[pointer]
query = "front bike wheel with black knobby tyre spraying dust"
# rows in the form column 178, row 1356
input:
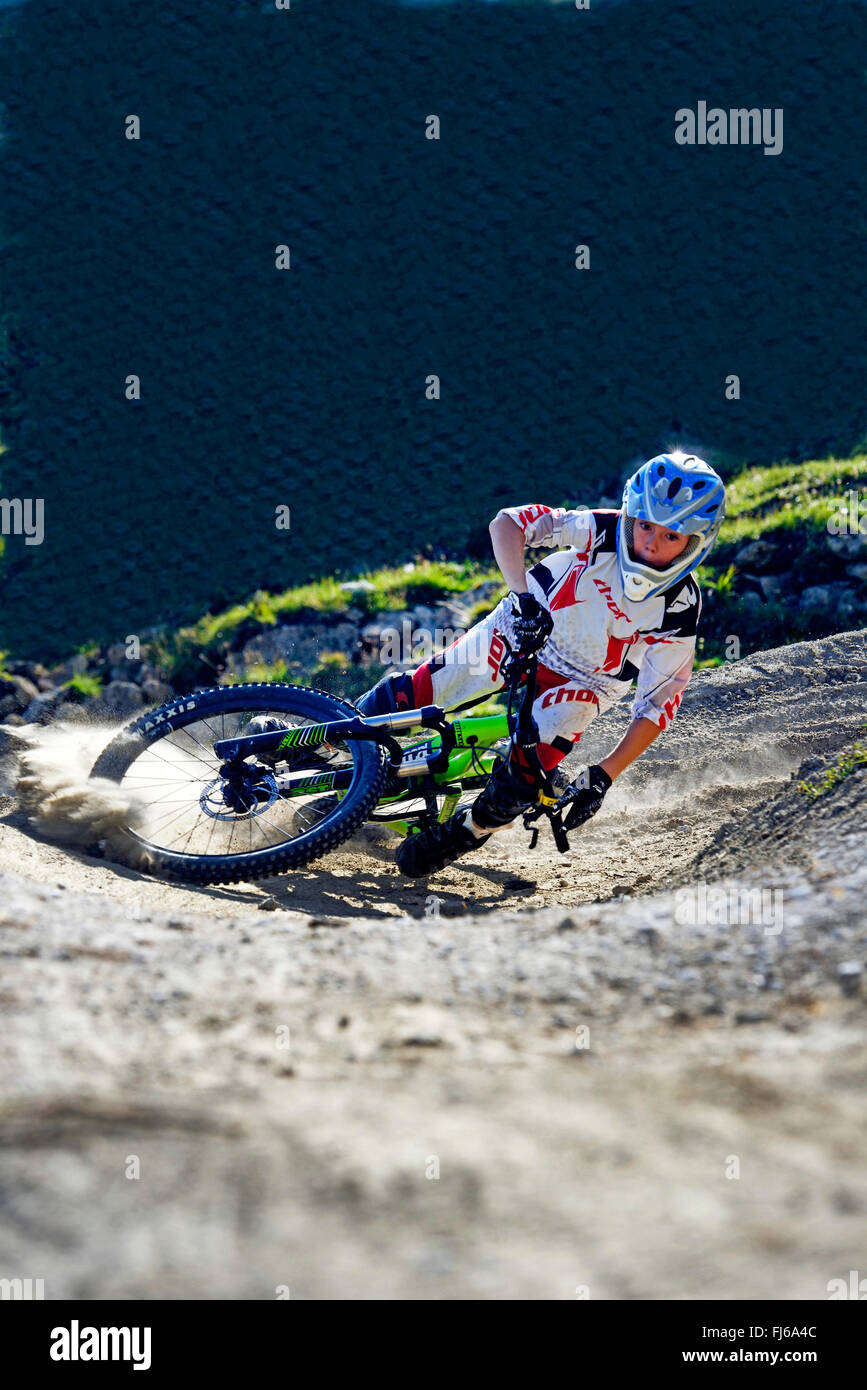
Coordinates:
column 187, row 822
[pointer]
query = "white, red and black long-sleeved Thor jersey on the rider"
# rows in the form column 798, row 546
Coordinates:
column 601, row 637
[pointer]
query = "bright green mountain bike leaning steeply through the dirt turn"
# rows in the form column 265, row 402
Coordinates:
column 244, row 782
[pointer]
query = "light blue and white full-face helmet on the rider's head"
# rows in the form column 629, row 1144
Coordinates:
column 683, row 494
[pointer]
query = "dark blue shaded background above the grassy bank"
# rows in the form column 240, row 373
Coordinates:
column 409, row 258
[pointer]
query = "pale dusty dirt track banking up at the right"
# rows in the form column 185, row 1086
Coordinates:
column 631, row 1072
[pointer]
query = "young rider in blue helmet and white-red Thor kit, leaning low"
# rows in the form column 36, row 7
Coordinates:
column 618, row 605
